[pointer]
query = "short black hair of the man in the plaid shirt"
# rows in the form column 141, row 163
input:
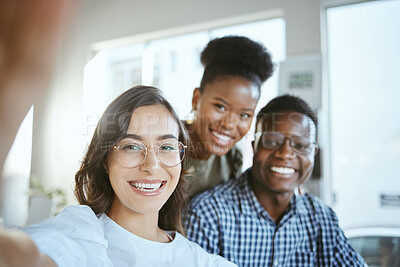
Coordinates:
column 288, row 103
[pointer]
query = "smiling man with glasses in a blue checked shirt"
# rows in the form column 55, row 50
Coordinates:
column 261, row 219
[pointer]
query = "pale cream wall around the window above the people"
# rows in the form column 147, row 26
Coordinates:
column 58, row 124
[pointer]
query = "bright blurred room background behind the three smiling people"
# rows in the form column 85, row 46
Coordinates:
column 342, row 56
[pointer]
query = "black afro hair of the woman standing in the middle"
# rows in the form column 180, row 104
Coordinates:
column 236, row 56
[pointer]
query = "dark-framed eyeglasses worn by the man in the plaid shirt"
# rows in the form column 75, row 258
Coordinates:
column 275, row 140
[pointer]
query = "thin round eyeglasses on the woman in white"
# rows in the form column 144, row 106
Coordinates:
column 131, row 154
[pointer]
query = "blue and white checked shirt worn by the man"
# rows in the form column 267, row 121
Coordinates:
column 229, row 221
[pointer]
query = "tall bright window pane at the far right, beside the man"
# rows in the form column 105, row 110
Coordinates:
column 364, row 63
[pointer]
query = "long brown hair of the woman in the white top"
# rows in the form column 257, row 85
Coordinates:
column 92, row 184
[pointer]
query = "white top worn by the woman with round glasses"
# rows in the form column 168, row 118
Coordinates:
column 77, row 237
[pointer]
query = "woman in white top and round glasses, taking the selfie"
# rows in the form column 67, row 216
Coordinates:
column 131, row 189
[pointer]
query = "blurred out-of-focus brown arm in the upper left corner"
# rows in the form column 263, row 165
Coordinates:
column 30, row 34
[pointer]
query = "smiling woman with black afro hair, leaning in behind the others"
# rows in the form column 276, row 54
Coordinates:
column 235, row 67
